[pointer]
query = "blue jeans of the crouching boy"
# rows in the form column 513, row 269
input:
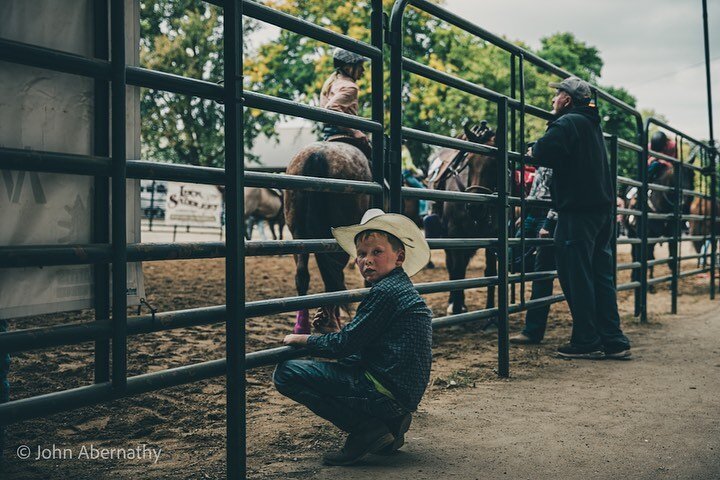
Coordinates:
column 337, row 392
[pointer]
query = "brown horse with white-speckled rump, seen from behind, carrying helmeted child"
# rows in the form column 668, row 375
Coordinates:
column 310, row 215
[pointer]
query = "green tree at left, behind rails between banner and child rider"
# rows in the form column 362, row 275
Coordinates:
column 182, row 37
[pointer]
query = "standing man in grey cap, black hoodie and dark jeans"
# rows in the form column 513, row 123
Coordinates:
column 583, row 193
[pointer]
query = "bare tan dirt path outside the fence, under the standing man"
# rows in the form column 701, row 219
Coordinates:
column 656, row 416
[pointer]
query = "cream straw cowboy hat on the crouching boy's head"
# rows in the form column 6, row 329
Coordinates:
column 417, row 251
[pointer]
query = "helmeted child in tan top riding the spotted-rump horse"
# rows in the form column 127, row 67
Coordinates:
column 340, row 93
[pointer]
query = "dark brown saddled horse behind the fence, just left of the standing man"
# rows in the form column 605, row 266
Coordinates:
column 475, row 173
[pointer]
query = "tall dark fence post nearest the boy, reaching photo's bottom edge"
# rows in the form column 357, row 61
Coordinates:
column 236, row 447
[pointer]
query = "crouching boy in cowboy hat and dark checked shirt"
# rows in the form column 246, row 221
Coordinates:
column 384, row 352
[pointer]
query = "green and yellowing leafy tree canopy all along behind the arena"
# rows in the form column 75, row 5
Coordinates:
column 185, row 37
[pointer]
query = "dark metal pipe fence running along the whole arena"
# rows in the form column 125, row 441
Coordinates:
column 112, row 326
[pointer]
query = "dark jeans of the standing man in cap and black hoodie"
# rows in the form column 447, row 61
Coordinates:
column 585, row 269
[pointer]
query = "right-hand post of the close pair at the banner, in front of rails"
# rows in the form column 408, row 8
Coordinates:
column 119, row 227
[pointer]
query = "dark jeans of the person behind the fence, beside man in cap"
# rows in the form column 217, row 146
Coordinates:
column 536, row 318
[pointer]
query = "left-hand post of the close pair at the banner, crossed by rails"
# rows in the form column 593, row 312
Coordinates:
column 101, row 195
